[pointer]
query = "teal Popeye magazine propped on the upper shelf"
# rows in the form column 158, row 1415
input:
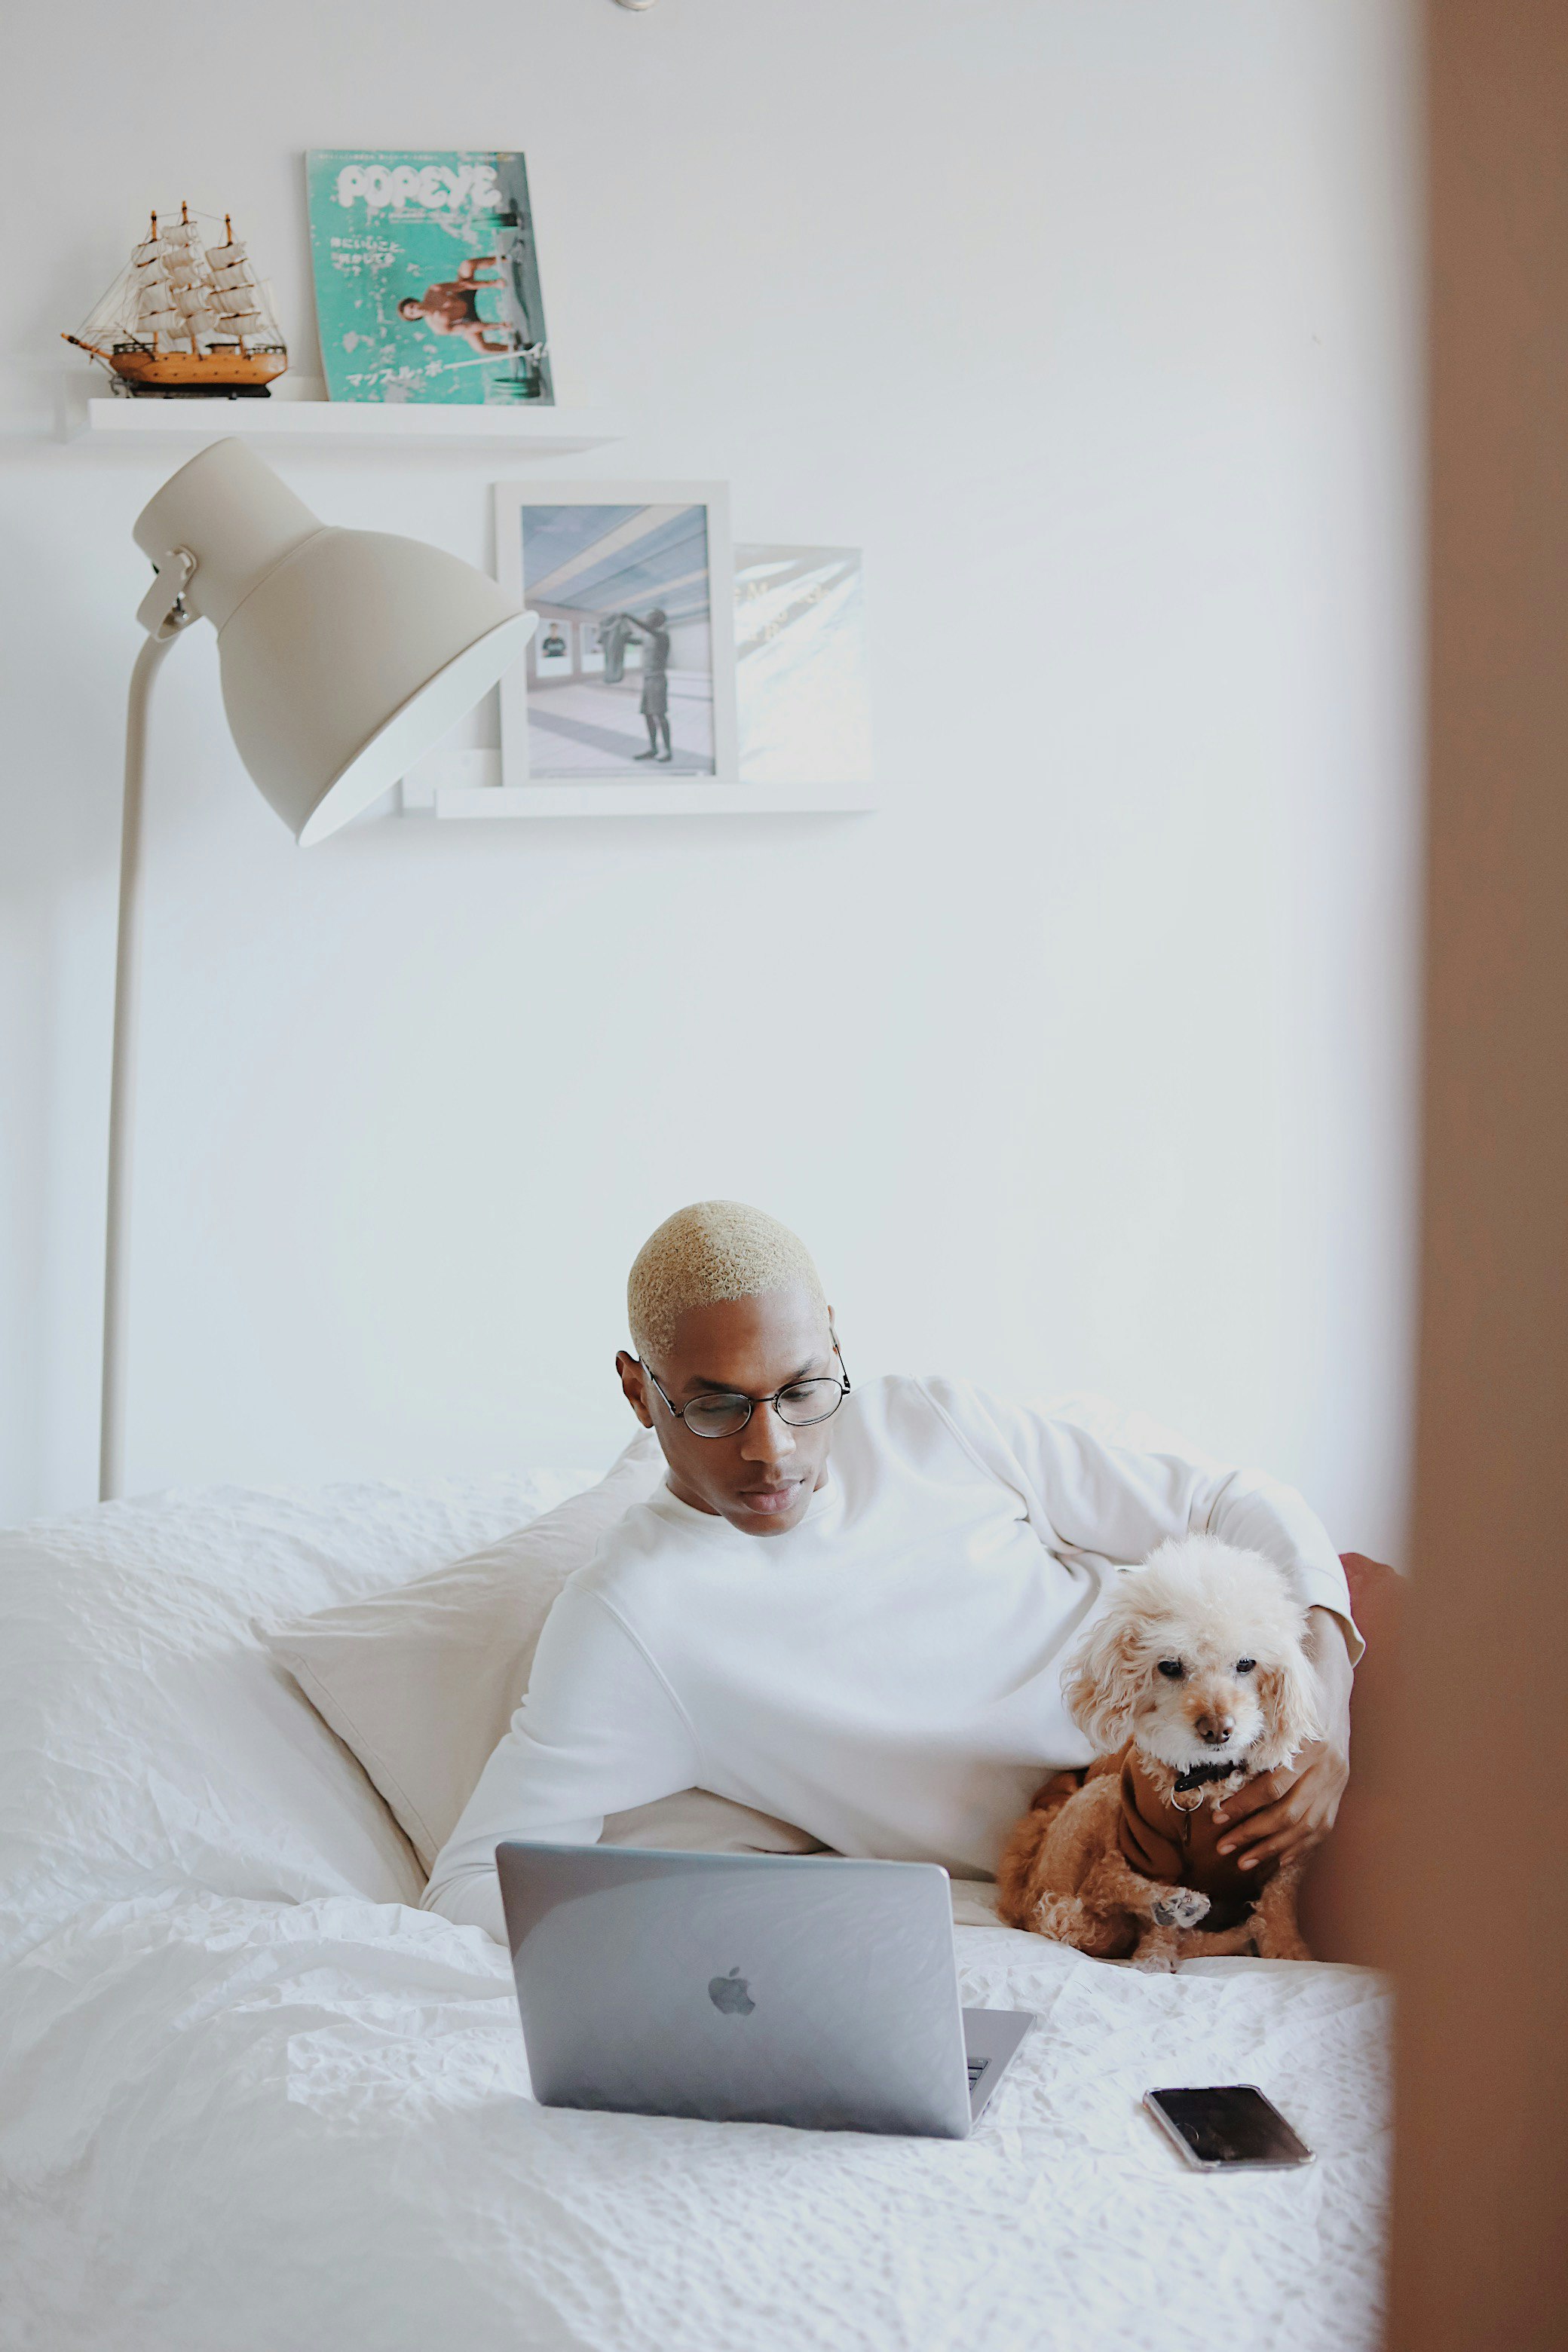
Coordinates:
column 427, row 276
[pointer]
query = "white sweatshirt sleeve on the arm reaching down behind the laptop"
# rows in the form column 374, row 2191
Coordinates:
column 598, row 1732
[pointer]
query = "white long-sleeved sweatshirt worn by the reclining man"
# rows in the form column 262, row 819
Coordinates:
column 887, row 1676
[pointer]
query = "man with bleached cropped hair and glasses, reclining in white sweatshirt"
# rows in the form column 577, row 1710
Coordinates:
column 852, row 1610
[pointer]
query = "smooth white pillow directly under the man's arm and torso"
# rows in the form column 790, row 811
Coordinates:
column 422, row 1683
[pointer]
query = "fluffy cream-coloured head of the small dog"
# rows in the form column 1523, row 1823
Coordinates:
column 1200, row 1662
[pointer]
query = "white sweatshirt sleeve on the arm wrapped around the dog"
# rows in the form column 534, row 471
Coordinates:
column 1115, row 1502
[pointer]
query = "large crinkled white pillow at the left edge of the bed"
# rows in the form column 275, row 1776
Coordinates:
column 147, row 1742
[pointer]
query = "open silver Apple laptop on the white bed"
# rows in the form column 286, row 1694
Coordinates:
column 760, row 1989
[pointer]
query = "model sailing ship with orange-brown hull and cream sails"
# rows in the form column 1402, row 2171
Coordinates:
column 187, row 321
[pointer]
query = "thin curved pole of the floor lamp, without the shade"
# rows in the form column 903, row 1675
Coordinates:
column 123, row 1078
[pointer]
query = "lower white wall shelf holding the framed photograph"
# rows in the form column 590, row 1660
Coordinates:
column 467, row 784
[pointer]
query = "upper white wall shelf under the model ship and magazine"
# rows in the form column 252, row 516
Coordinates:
column 342, row 425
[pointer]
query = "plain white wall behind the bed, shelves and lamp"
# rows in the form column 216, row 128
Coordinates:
column 1087, row 319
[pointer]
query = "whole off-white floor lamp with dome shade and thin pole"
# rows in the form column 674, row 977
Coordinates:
column 344, row 657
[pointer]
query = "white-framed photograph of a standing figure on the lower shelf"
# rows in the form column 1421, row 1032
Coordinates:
column 629, row 679
